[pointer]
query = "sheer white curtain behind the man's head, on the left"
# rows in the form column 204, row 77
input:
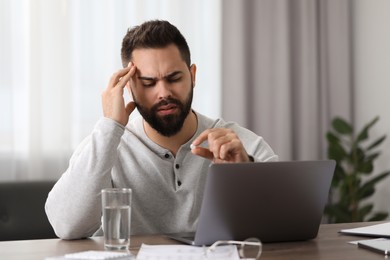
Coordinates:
column 57, row 57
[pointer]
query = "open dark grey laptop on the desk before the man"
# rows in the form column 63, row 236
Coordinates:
column 272, row 201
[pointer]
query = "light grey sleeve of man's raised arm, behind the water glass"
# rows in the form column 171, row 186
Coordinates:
column 73, row 206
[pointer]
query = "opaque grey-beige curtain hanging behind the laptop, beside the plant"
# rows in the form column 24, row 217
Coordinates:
column 287, row 70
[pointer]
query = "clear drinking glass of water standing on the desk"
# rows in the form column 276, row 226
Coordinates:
column 116, row 206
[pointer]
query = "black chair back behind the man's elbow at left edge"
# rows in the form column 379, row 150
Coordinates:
column 22, row 213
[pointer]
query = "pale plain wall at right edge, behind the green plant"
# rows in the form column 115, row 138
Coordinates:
column 372, row 80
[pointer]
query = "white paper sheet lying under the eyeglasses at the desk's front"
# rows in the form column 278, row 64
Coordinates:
column 178, row 252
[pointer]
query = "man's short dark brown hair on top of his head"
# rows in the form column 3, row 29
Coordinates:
column 153, row 34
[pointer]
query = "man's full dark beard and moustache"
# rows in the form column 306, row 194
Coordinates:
column 168, row 125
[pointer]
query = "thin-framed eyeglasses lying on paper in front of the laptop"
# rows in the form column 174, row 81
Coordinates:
column 250, row 248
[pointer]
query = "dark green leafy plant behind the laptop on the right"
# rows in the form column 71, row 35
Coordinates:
column 352, row 182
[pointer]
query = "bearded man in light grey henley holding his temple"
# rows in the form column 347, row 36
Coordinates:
column 163, row 156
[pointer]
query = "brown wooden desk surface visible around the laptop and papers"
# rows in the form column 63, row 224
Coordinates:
column 329, row 244
